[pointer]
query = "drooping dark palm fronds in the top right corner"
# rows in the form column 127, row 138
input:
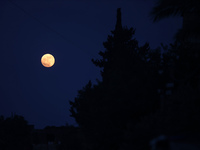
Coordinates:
column 189, row 10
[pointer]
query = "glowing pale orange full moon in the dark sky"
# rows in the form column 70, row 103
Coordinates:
column 47, row 60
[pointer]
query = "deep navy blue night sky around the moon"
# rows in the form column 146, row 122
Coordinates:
column 73, row 31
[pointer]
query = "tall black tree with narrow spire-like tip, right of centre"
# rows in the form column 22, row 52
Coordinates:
column 127, row 92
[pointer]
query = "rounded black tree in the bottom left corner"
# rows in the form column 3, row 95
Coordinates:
column 14, row 133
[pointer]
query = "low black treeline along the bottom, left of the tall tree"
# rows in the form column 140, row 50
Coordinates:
column 17, row 134
